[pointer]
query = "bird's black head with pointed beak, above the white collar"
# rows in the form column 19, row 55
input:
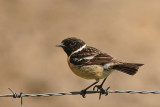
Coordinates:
column 71, row 45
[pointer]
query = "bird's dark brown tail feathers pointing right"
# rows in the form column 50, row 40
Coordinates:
column 129, row 68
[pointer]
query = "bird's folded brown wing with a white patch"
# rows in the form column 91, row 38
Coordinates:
column 90, row 56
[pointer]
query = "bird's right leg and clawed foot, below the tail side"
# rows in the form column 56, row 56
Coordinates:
column 100, row 88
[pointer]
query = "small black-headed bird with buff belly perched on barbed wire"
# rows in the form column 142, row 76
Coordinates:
column 90, row 63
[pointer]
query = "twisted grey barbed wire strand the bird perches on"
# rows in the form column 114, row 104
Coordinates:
column 21, row 94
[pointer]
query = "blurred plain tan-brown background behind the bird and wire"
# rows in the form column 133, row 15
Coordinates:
column 129, row 30
